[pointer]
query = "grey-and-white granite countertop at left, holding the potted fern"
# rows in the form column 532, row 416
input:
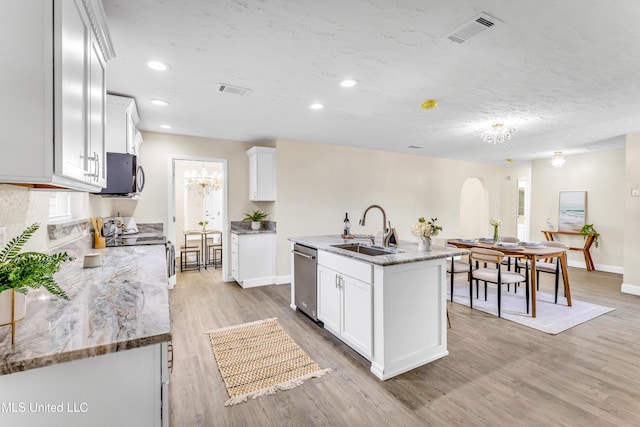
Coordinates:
column 121, row 305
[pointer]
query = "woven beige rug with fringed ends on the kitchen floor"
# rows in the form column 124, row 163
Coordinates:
column 260, row 358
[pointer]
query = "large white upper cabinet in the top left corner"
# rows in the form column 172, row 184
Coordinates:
column 52, row 111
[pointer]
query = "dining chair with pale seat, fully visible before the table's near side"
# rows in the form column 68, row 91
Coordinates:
column 492, row 275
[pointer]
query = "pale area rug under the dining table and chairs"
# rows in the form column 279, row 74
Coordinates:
column 550, row 318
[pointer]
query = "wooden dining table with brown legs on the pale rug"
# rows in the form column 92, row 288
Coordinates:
column 532, row 254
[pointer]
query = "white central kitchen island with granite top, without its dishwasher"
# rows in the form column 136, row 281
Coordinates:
column 390, row 308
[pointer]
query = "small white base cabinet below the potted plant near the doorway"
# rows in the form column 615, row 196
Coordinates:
column 253, row 258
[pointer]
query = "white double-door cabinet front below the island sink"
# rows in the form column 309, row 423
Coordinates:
column 345, row 302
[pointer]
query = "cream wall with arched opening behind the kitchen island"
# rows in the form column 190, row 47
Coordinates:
column 318, row 183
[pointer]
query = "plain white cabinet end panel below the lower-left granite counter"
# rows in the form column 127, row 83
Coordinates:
column 125, row 388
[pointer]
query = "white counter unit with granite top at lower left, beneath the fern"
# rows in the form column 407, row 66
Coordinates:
column 99, row 358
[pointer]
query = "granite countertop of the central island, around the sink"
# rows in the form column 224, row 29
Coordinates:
column 405, row 252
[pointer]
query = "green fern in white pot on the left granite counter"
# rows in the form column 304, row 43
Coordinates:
column 20, row 272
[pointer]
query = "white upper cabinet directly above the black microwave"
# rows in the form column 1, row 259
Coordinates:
column 122, row 125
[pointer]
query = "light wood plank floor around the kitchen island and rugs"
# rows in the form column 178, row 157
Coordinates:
column 498, row 373
